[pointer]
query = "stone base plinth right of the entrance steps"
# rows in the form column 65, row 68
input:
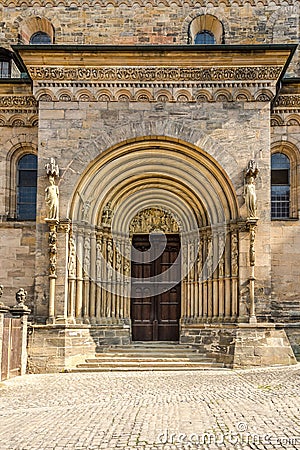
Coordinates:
column 241, row 345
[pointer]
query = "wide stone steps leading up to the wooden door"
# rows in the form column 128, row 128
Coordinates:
column 142, row 356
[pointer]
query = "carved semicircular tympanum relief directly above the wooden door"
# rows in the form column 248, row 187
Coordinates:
column 154, row 219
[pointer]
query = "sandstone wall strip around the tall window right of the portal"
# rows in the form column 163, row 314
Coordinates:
column 285, row 237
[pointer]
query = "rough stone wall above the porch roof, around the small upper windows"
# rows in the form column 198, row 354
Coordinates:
column 144, row 23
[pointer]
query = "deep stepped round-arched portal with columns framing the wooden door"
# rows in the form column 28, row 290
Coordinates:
column 153, row 185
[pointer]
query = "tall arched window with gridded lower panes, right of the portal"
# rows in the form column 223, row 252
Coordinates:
column 280, row 186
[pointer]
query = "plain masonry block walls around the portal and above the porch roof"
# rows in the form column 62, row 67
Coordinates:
column 230, row 132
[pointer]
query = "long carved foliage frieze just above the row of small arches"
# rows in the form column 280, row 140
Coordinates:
column 154, row 74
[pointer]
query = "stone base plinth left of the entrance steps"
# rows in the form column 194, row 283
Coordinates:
column 54, row 348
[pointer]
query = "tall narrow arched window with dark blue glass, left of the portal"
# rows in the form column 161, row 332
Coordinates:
column 26, row 187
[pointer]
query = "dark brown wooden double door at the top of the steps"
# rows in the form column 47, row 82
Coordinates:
column 156, row 287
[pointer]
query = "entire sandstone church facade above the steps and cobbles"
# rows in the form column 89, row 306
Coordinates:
column 149, row 176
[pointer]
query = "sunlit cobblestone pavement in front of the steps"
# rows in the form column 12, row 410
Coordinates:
column 213, row 409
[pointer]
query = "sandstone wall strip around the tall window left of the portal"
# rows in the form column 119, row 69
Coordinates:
column 17, row 239
